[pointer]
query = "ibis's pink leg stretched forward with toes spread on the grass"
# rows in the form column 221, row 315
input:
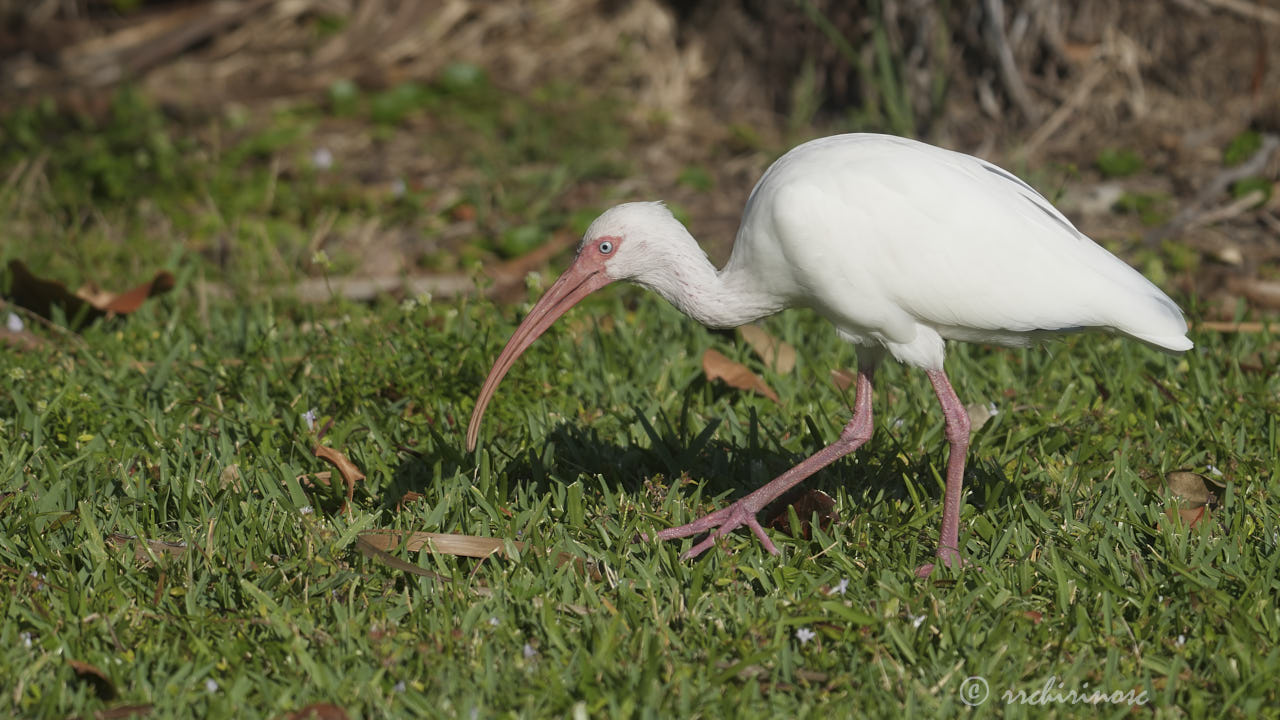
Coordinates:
column 743, row 513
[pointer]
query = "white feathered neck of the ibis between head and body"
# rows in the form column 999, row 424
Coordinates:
column 717, row 299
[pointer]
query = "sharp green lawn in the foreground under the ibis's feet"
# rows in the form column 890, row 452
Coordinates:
column 598, row 435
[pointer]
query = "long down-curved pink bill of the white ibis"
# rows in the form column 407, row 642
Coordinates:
column 579, row 281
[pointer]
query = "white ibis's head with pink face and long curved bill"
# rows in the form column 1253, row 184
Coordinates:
column 628, row 243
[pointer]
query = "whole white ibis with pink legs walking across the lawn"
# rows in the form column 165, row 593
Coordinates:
column 902, row 245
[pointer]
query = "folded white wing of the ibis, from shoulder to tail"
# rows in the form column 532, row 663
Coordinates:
column 897, row 231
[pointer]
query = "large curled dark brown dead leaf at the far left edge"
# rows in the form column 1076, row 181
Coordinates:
column 42, row 295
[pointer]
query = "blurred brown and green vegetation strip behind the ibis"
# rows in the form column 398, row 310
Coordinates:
column 405, row 145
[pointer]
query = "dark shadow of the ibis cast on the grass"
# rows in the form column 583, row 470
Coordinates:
column 673, row 452
